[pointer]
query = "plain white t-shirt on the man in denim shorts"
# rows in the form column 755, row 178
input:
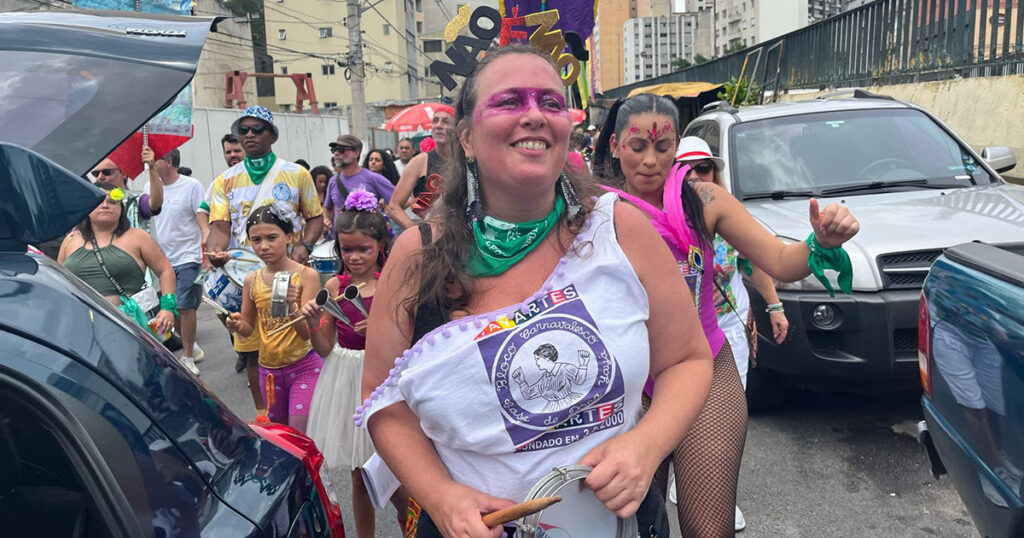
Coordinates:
column 177, row 229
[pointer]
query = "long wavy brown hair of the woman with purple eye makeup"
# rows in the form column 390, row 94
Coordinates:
column 443, row 278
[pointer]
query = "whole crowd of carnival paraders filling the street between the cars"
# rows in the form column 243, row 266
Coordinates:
column 508, row 226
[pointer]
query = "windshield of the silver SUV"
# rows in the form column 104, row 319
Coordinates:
column 847, row 149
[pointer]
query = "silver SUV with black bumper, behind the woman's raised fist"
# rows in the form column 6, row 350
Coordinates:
column 916, row 188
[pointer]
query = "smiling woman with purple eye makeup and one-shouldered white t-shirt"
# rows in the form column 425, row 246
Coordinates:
column 518, row 285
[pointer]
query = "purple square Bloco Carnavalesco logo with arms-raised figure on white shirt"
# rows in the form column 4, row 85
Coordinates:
column 556, row 381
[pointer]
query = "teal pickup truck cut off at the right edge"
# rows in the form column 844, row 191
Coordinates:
column 971, row 351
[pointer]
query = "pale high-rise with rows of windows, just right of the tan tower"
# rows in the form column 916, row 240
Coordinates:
column 652, row 45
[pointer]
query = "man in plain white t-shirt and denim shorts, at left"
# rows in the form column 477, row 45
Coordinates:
column 179, row 234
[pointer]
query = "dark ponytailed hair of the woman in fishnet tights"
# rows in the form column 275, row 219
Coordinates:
column 609, row 171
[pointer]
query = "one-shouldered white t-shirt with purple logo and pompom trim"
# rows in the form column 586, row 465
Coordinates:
column 509, row 395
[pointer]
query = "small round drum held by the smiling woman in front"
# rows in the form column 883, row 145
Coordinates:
column 580, row 515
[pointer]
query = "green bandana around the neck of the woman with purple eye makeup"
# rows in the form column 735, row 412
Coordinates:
column 501, row 245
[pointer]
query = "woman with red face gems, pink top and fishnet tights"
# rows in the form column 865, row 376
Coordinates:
column 638, row 156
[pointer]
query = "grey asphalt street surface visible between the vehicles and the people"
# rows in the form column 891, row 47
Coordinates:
column 824, row 466
